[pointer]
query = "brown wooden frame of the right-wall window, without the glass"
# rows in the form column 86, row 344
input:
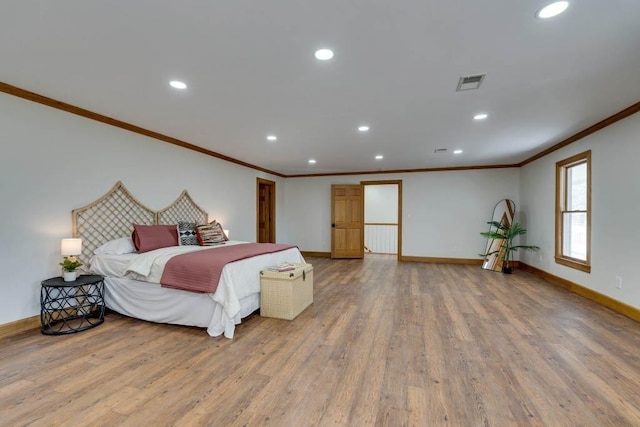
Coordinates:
column 562, row 168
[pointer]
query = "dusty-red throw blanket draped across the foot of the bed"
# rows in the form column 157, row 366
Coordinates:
column 200, row 271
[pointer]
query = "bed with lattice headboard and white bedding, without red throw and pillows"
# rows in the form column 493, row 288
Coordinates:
column 105, row 226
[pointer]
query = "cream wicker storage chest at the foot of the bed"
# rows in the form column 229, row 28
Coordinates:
column 286, row 294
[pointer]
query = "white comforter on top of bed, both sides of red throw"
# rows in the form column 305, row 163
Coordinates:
column 238, row 280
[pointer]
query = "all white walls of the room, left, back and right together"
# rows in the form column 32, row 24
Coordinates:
column 52, row 162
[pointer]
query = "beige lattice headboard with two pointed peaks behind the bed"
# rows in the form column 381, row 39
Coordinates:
column 112, row 216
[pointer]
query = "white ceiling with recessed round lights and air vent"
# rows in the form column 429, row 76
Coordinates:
column 250, row 71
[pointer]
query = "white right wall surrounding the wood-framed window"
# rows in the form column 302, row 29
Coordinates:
column 615, row 198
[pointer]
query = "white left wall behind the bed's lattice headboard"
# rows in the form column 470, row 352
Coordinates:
column 52, row 162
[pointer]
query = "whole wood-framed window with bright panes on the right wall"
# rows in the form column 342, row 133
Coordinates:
column 573, row 212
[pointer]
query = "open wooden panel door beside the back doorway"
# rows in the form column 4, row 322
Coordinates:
column 347, row 221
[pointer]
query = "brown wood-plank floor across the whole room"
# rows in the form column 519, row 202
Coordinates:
column 384, row 343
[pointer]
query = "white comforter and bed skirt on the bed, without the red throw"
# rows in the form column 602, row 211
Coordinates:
column 239, row 282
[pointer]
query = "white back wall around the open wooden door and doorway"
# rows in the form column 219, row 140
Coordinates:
column 443, row 212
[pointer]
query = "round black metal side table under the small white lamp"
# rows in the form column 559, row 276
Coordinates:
column 68, row 307
